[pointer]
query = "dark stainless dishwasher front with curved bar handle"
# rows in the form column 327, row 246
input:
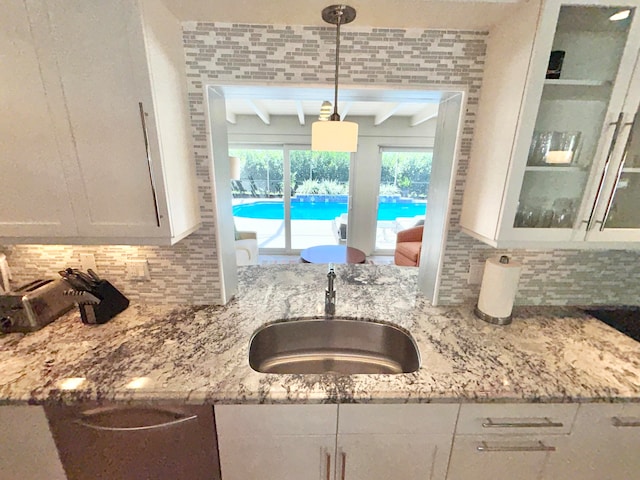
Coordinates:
column 135, row 442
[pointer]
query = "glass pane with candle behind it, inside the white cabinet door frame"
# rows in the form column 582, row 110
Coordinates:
column 583, row 65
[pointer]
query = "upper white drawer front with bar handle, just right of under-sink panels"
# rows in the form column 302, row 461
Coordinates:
column 516, row 418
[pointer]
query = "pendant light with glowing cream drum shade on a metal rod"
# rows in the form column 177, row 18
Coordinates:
column 335, row 135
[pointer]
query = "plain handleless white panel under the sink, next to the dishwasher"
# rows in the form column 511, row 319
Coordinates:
column 256, row 420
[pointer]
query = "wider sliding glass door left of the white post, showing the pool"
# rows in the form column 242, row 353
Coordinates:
column 292, row 197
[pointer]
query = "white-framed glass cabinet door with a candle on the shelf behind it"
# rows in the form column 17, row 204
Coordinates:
column 587, row 70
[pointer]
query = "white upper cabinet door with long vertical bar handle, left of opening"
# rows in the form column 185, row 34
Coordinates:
column 100, row 51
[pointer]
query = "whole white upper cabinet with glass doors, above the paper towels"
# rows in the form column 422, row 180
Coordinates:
column 574, row 170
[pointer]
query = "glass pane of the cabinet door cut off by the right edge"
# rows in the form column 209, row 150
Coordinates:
column 623, row 209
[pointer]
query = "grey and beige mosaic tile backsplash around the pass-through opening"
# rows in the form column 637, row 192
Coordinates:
column 223, row 53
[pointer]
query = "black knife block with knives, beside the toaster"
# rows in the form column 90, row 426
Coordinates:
column 97, row 299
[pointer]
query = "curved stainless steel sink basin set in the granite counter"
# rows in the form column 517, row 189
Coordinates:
column 336, row 345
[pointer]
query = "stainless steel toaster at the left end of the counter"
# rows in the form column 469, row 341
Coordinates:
column 34, row 305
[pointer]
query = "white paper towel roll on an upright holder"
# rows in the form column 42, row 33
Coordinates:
column 498, row 288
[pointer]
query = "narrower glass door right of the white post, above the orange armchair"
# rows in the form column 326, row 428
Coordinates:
column 402, row 196
